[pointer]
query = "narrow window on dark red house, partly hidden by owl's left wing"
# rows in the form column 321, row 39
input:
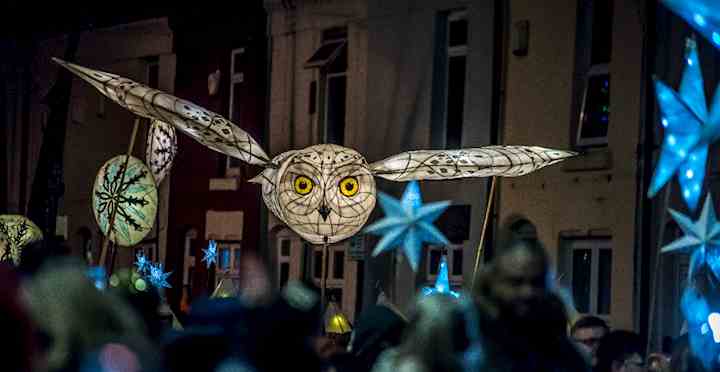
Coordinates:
column 234, row 166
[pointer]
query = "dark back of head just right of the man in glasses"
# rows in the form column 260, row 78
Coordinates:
column 620, row 351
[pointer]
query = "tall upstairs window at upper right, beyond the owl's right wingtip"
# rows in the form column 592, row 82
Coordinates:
column 591, row 101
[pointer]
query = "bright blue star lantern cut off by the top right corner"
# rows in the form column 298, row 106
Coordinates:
column 702, row 15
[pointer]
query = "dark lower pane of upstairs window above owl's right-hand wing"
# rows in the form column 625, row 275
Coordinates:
column 455, row 102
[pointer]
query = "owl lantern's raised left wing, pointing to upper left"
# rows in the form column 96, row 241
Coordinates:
column 206, row 127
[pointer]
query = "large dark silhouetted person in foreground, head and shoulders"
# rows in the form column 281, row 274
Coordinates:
column 523, row 325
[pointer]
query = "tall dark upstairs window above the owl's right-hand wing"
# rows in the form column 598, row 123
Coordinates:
column 450, row 79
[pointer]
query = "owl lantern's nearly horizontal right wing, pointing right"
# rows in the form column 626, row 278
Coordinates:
column 488, row 161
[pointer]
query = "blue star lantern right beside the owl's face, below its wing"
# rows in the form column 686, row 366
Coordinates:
column 408, row 223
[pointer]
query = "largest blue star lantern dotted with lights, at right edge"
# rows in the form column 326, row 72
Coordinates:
column 689, row 131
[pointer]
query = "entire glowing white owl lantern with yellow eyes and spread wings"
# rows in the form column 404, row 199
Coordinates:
column 325, row 193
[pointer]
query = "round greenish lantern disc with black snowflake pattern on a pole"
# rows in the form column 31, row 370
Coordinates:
column 132, row 195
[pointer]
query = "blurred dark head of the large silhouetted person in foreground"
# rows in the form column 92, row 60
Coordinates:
column 517, row 276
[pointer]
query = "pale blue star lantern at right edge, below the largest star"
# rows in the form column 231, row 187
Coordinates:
column 702, row 239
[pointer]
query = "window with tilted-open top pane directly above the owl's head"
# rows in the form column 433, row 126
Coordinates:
column 331, row 59
